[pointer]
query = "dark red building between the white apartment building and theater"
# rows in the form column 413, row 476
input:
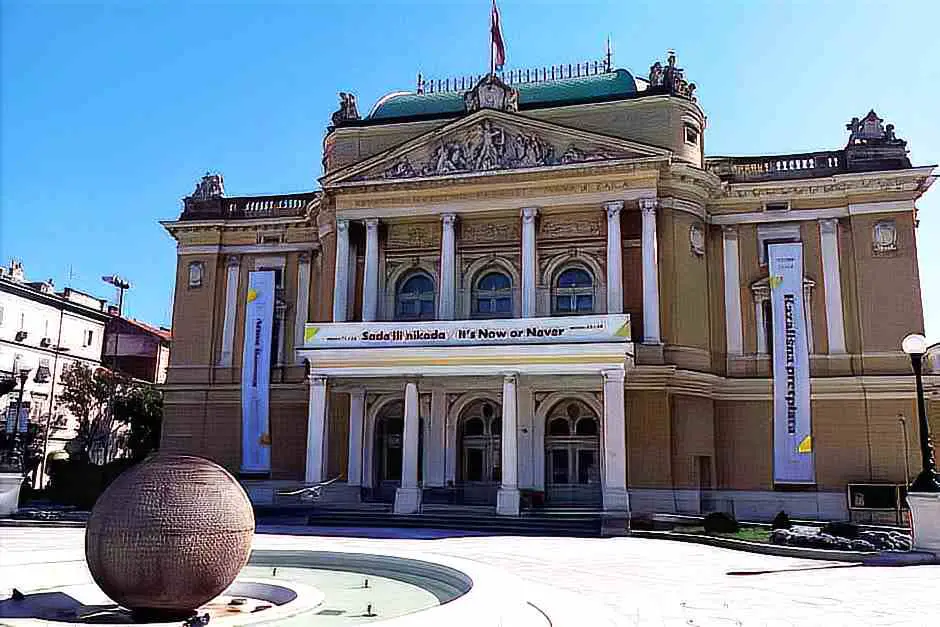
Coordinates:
column 142, row 351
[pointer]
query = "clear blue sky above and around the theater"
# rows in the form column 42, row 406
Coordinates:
column 110, row 111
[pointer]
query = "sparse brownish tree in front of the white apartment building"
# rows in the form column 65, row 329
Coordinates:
column 88, row 394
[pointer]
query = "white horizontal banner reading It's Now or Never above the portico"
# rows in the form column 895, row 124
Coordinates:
column 561, row 330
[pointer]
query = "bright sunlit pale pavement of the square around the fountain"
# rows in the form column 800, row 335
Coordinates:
column 645, row 582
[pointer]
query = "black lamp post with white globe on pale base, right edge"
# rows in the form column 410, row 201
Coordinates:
column 924, row 492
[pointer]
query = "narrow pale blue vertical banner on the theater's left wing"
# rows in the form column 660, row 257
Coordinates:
column 256, row 373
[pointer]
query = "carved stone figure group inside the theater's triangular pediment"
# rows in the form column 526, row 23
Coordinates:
column 489, row 146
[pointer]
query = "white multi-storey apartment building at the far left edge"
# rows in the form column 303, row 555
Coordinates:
column 45, row 331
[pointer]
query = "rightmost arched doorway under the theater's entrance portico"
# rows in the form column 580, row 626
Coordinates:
column 572, row 455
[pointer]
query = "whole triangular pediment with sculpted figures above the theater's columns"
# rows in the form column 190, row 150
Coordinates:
column 491, row 141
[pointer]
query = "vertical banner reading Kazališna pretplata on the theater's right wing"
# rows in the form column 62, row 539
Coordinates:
column 793, row 442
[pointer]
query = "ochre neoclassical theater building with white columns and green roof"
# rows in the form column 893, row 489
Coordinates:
column 536, row 289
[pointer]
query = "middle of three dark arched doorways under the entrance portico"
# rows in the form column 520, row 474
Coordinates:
column 479, row 443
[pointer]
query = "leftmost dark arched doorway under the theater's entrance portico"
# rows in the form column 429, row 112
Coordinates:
column 387, row 450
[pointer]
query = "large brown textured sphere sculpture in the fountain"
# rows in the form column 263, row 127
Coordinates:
column 168, row 535
